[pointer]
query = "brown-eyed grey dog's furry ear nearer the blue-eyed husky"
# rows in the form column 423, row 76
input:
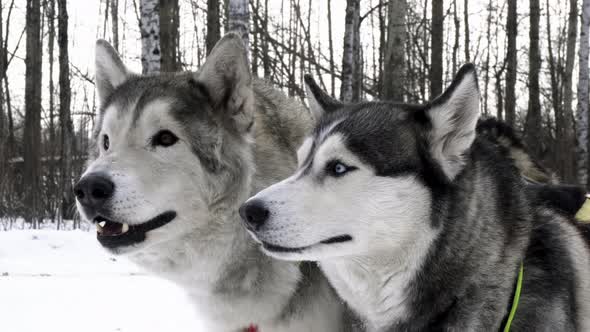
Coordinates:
column 226, row 76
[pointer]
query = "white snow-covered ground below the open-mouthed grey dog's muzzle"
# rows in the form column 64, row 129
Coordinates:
column 63, row 281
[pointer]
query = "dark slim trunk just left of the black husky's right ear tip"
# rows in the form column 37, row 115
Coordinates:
column 436, row 59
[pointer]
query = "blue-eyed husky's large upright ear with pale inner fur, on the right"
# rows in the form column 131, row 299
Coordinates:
column 453, row 116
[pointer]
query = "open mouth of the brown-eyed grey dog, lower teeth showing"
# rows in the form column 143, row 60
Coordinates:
column 112, row 234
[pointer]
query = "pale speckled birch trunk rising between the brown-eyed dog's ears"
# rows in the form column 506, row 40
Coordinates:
column 150, row 36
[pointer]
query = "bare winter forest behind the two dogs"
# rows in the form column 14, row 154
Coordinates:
column 532, row 59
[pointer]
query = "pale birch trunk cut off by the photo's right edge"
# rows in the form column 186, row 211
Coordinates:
column 582, row 114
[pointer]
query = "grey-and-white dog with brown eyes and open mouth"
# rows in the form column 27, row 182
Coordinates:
column 174, row 157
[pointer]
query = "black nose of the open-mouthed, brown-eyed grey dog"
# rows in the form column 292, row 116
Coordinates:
column 93, row 190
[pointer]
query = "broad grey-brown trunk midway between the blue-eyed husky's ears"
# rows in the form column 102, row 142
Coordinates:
column 393, row 86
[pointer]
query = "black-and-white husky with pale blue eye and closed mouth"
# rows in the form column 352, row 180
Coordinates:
column 421, row 225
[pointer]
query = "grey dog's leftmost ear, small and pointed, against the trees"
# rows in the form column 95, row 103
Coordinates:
column 110, row 70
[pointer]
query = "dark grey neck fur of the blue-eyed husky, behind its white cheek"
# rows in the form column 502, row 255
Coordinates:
column 460, row 271
